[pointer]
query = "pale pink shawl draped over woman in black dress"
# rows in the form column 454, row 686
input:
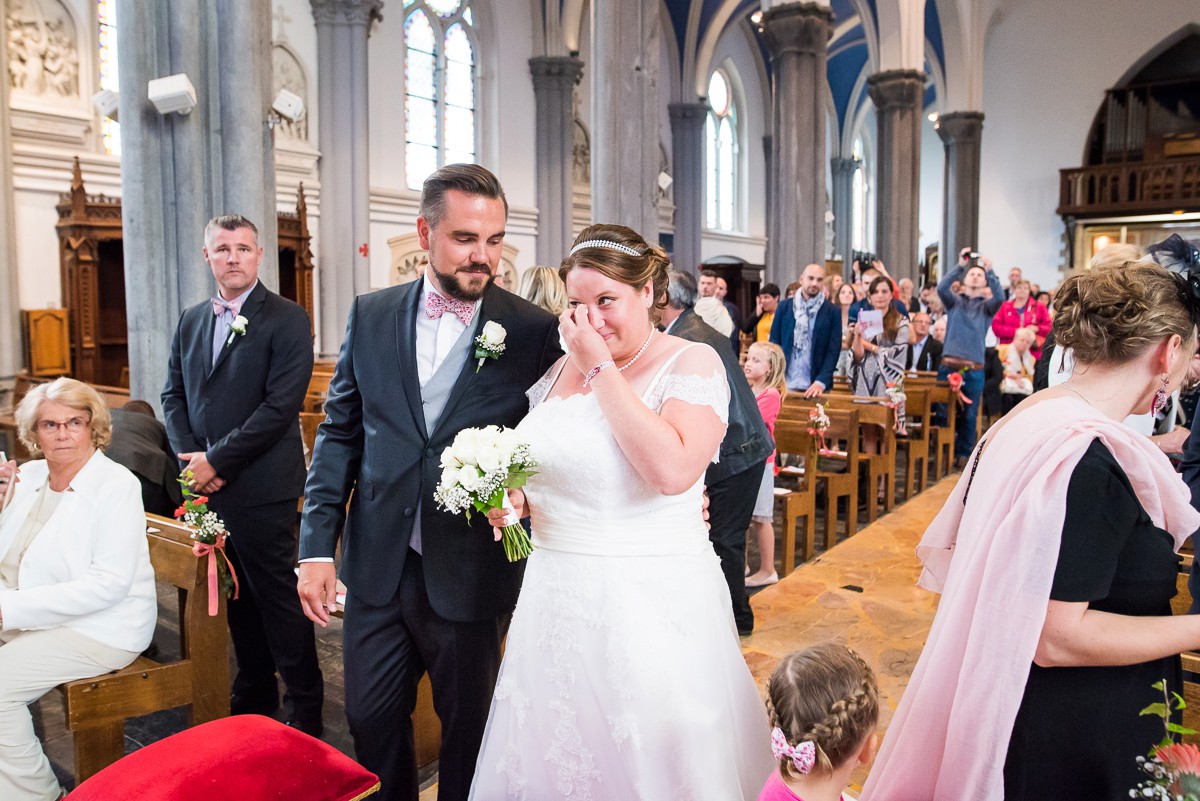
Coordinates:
column 994, row 563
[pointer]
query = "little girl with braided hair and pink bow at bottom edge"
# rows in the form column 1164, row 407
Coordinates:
column 825, row 708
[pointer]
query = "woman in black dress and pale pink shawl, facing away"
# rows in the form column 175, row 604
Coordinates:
column 1055, row 558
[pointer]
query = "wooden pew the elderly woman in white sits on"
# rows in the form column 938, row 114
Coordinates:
column 97, row 708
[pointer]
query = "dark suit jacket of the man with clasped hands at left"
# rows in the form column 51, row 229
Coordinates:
column 243, row 409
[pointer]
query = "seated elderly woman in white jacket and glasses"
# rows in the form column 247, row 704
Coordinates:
column 77, row 594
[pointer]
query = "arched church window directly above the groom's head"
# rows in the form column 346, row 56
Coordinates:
column 440, row 87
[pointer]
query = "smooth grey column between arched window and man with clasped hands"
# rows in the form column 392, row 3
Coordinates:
column 344, row 260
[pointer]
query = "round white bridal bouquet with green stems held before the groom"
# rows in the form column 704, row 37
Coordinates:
column 477, row 469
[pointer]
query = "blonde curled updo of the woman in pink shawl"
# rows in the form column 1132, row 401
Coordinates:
column 1112, row 315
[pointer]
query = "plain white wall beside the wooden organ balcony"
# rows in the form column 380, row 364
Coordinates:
column 1046, row 69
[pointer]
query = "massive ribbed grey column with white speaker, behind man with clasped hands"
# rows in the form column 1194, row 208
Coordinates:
column 181, row 171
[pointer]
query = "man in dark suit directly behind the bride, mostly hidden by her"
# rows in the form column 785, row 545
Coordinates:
column 733, row 483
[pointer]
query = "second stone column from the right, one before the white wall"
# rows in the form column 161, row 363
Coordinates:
column 897, row 95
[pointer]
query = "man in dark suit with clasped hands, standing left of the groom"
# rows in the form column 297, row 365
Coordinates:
column 239, row 370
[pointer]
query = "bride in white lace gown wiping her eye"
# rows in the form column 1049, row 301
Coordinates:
column 622, row 676
